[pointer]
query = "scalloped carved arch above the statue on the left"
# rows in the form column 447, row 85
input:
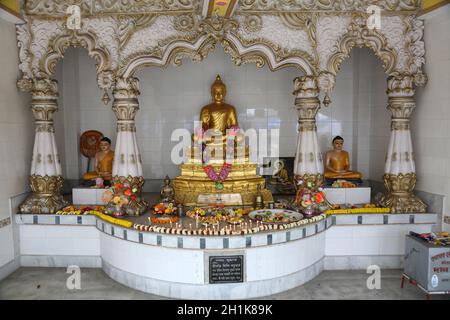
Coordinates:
column 87, row 40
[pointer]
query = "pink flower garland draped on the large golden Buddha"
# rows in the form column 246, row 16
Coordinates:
column 220, row 177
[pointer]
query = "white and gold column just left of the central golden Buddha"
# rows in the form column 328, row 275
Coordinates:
column 127, row 166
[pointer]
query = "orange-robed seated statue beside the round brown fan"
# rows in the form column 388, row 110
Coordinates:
column 103, row 162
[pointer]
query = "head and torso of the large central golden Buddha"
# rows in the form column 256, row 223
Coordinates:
column 218, row 115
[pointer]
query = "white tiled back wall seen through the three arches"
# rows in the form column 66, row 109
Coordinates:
column 171, row 98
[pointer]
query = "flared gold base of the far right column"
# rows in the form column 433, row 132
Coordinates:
column 399, row 196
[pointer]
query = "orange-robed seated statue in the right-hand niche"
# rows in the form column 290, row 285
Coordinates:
column 337, row 162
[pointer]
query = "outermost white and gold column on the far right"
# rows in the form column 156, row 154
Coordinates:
column 400, row 173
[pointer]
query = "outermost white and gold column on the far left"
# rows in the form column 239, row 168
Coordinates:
column 46, row 180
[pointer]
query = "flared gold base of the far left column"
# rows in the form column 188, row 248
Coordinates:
column 46, row 195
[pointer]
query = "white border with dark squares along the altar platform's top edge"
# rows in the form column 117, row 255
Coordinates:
column 268, row 238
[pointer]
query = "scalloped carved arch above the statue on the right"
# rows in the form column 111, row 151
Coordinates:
column 359, row 35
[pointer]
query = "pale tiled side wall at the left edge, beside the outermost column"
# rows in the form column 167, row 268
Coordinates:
column 16, row 137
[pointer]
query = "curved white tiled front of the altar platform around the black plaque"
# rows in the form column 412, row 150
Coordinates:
column 176, row 266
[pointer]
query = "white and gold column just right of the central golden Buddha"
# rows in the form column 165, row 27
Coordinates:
column 308, row 164
